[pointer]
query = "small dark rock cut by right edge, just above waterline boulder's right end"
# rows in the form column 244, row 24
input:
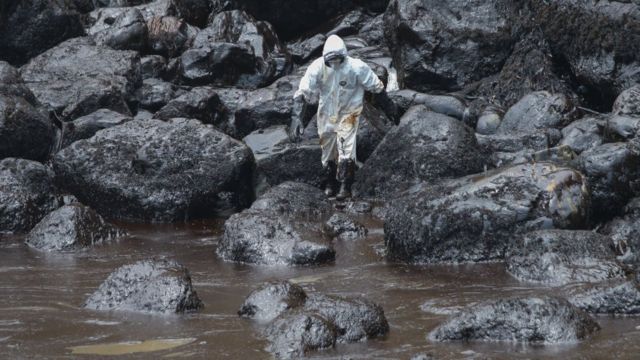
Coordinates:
column 624, row 232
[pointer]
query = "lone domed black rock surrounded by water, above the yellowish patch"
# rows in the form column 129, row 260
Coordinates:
column 149, row 286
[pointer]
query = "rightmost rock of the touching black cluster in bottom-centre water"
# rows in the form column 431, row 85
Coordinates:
column 355, row 319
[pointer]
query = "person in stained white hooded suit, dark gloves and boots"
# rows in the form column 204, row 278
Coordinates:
column 340, row 82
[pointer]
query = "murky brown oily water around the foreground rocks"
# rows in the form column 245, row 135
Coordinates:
column 42, row 295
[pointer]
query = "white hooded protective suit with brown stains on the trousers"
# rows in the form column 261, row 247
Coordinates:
column 341, row 95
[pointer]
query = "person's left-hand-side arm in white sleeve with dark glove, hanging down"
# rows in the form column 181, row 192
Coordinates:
column 307, row 90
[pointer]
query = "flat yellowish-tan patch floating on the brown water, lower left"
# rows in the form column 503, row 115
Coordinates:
column 130, row 347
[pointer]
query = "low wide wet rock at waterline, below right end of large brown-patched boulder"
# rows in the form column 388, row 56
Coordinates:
column 559, row 257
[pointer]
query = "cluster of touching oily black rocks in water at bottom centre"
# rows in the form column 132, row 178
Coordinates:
column 306, row 322
